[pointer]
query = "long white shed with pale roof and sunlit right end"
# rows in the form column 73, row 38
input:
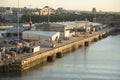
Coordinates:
column 40, row 35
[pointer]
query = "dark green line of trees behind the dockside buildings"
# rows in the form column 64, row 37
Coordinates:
column 65, row 17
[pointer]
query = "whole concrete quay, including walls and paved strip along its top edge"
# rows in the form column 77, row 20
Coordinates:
column 50, row 54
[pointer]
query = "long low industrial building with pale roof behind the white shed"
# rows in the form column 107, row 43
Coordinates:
column 65, row 28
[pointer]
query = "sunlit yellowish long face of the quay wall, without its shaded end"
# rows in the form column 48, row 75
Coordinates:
column 52, row 54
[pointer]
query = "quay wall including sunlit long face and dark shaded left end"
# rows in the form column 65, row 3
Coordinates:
column 51, row 55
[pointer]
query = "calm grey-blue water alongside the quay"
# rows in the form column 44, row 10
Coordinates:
column 100, row 61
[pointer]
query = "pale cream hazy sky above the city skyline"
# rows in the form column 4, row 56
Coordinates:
column 87, row 5
